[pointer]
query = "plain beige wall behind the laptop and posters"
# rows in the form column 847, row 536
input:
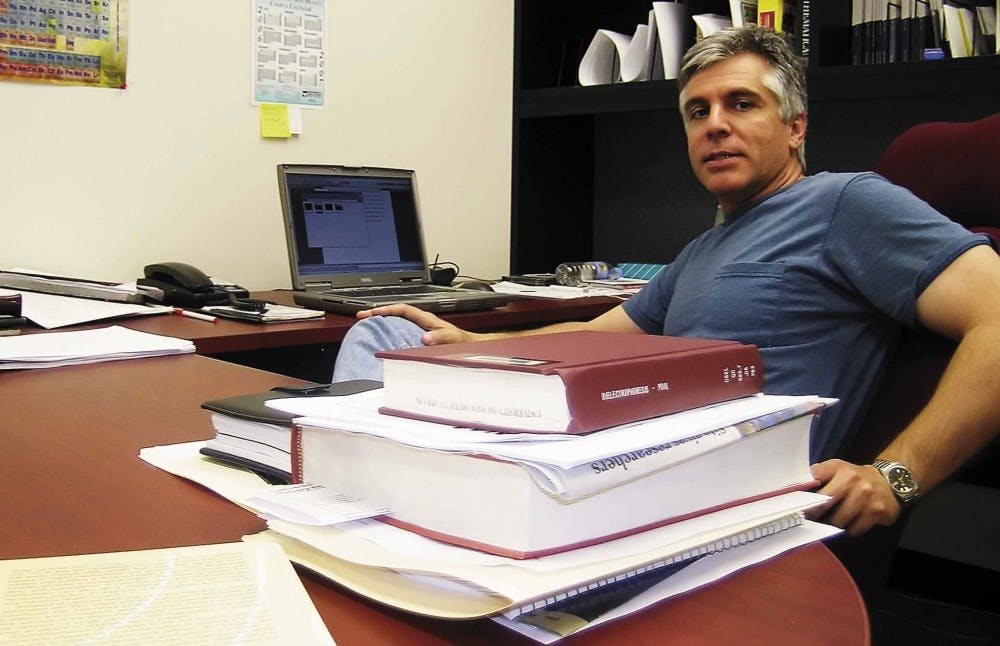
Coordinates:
column 98, row 183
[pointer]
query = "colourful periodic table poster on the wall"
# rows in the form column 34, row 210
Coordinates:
column 64, row 42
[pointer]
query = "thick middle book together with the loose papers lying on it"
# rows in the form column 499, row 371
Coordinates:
column 525, row 496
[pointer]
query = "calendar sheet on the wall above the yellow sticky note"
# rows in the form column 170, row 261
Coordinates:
column 288, row 52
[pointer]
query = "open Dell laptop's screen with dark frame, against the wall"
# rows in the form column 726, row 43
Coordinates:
column 348, row 227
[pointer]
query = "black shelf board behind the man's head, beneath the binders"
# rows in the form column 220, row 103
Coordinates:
column 892, row 80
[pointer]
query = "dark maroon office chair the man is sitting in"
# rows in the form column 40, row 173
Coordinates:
column 918, row 576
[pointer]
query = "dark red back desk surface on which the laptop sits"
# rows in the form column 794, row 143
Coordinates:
column 235, row 336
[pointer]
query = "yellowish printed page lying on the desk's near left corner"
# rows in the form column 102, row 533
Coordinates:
column 234, row 593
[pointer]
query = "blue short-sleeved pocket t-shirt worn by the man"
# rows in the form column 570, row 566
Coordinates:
column 819, row 275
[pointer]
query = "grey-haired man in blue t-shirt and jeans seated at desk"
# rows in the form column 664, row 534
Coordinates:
column 819, row 272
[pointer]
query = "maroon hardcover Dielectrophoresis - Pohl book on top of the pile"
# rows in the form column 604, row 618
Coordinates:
column 566, row 382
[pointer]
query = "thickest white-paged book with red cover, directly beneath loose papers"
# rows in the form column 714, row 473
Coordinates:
column 516, row 508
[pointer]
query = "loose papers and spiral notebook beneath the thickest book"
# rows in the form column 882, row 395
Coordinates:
column 424, row 576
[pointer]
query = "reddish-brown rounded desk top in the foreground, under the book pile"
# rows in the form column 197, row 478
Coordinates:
column 74, row 484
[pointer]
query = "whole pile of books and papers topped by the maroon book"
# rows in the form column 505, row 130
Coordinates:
column 594, row 506
